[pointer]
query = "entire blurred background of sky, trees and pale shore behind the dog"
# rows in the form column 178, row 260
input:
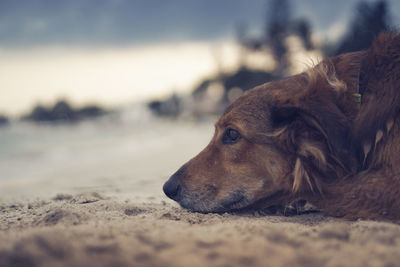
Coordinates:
column 114, row 95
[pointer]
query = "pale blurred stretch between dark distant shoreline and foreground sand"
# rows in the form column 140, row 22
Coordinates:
column 129, row 153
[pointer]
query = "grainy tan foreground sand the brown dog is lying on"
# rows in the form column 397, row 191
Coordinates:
column 91, row 229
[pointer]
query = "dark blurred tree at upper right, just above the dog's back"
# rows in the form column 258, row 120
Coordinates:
column 370, row 19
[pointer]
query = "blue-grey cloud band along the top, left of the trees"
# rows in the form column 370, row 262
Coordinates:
column 104, row 22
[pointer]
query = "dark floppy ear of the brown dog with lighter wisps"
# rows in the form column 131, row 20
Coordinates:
column 306, row 137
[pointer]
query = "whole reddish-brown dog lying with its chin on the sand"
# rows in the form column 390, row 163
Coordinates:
column 307, row 137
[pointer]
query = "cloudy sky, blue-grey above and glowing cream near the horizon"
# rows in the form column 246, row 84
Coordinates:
column 119, row 51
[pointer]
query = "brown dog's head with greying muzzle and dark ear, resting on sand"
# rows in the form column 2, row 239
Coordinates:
column 273, row 143
